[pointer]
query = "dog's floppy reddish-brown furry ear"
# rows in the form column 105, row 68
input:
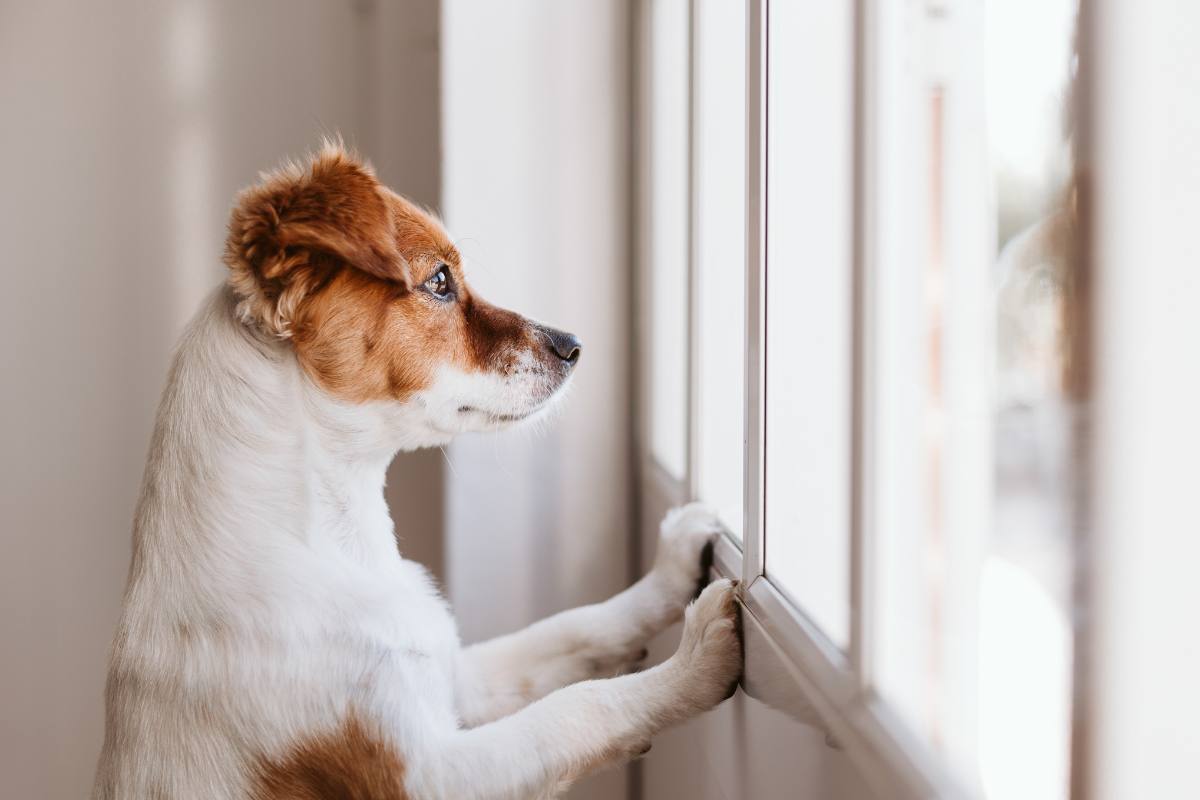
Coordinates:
column 298, row 225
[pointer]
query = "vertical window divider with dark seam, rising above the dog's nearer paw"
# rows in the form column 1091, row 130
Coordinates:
column 755, row 486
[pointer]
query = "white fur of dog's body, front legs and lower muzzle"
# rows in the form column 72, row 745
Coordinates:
column 267, row 600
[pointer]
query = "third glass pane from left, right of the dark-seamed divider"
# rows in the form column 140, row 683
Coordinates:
column 809, row 308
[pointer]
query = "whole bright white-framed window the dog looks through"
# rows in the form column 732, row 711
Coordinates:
column 869, row 251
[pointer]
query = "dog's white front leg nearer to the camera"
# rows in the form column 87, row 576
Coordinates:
column 542, row 749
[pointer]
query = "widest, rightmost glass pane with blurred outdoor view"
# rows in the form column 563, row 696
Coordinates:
column 975, row 404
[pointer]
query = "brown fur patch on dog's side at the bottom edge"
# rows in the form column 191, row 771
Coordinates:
column 345, row 765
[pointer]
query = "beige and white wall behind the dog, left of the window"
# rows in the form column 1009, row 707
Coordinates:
column 129, row 128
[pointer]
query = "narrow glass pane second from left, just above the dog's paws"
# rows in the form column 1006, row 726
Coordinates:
column 721, row 254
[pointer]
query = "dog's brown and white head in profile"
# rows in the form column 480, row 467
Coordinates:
column 371, row 293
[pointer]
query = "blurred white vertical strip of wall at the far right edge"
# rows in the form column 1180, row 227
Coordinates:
column 1144, row 649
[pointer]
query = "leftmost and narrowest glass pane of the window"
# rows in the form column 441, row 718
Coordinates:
column 669, row 227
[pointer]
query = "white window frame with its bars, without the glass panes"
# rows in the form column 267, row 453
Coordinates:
column 835, row 683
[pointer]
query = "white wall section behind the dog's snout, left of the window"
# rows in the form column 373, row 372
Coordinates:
column 537, row 166
